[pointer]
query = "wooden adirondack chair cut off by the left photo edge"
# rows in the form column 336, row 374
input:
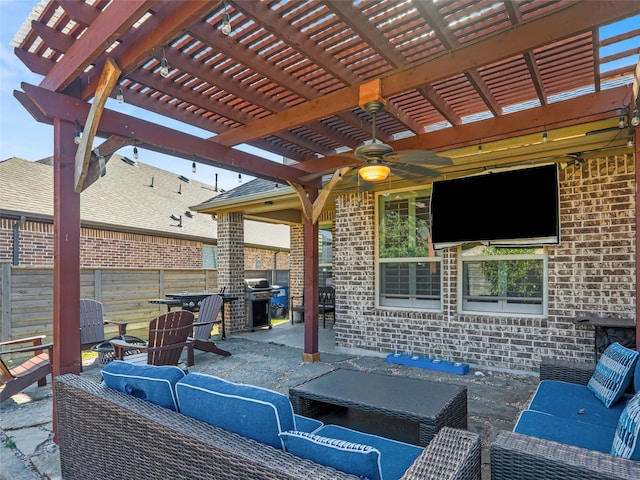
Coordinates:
column 34, row 369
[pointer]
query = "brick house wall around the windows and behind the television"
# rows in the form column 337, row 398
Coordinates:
column 592, row 272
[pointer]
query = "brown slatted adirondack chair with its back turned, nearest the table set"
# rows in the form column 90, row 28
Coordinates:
column 168, row 336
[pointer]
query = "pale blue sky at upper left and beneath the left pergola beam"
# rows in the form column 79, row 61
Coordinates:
column 22, row 136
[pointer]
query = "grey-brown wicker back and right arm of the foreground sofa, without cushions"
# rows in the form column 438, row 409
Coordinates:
column 104, row 433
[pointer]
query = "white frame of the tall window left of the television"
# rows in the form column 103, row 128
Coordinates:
column 403, row 301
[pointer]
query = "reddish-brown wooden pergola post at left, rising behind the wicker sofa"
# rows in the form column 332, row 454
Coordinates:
column 66, row 263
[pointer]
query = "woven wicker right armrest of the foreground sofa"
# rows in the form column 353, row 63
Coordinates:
column 454, row 451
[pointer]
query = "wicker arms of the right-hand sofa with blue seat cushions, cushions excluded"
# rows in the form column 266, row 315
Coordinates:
column 520, row 456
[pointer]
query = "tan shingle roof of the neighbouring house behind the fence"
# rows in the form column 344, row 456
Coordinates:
column 139, row 198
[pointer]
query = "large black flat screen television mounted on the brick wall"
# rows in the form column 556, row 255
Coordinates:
column 511, row 208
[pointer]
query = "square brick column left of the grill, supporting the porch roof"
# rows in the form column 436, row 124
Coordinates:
column 231, row 267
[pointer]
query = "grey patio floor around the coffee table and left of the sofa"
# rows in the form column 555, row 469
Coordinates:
column 271, row 359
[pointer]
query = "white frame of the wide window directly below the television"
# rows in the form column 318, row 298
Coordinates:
column 502, row 305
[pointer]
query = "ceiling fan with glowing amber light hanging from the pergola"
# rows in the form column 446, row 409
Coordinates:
column 377, row 159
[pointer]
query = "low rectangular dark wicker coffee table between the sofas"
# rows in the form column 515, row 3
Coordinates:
column 432, row 405
